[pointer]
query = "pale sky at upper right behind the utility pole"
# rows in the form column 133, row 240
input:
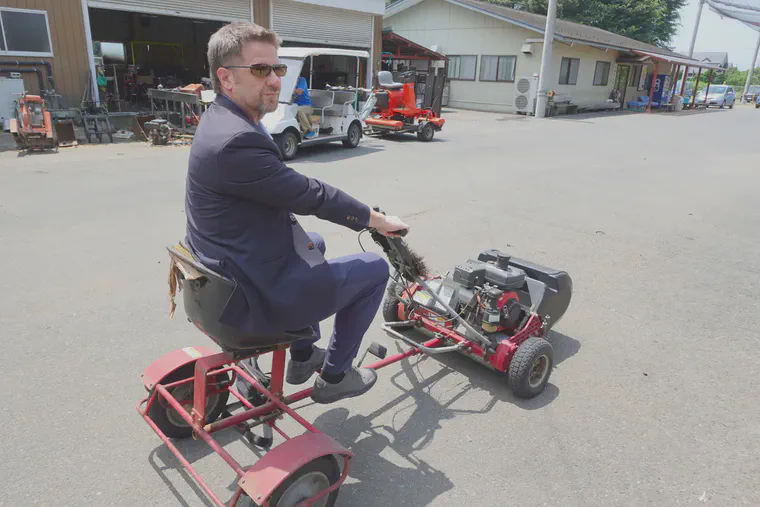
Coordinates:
column 716, row 34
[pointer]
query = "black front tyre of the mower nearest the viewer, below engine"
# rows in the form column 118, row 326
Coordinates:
column 531, row 367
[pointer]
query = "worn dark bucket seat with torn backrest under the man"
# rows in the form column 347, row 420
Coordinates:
column 206, row 295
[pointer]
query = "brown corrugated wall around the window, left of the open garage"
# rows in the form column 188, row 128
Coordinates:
column 70, row 66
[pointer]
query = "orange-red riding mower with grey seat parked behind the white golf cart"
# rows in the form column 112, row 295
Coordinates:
column 394, row 108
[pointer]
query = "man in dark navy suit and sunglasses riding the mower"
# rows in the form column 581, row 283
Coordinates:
column 241, row 202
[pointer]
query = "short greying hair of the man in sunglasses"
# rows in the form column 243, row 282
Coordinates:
column 227, row 43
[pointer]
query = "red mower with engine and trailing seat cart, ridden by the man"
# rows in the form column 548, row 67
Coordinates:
column 495, row 309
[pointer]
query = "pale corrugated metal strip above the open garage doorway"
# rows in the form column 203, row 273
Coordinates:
column 221, row 10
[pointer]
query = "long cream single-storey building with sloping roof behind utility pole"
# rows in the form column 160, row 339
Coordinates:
column 490, row 47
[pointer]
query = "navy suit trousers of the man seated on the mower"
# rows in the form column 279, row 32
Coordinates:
column 362, row 279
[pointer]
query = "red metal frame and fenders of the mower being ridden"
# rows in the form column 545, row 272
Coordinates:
column 261, row 480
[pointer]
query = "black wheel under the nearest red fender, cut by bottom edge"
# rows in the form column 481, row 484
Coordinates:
column 308, row 481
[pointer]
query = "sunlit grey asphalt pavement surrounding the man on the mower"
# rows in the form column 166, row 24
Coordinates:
column 654, row 398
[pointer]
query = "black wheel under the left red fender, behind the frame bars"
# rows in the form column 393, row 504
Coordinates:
column 168, row 420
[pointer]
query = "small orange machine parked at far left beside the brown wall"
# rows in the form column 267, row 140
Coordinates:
column 33, row 128
